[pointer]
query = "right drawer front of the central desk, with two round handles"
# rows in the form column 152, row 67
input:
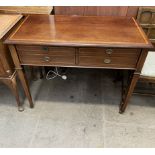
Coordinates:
column 104, row 57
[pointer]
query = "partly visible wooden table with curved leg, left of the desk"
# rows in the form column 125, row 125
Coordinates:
column 7, row 71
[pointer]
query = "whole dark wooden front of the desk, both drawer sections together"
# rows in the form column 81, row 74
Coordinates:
column 63, row 56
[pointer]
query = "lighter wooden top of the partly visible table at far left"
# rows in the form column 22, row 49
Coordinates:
column 7, row 22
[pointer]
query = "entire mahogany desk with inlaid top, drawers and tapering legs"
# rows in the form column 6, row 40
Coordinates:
column 80, row 42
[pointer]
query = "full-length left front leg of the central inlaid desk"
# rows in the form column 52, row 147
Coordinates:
column 21, row 74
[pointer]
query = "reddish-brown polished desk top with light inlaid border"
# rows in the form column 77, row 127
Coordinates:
column 98, row 31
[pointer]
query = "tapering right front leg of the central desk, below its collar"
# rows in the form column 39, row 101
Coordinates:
column 127, row 94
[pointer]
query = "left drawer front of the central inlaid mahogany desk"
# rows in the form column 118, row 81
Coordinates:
column 43, row 55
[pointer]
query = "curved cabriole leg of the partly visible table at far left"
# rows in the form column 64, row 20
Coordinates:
column 12, row 84
